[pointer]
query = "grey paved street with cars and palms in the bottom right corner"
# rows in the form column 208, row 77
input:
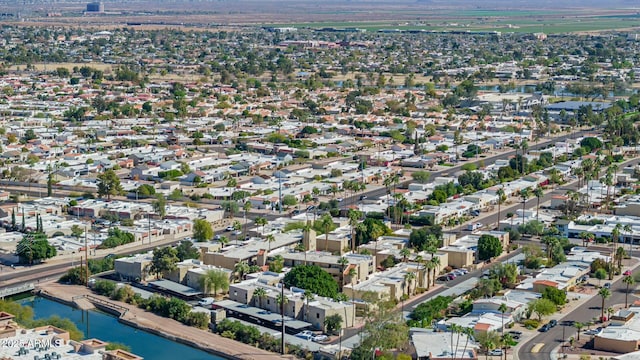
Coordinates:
column 584, row 313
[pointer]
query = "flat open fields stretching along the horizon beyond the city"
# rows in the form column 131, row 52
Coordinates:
column 372, row 16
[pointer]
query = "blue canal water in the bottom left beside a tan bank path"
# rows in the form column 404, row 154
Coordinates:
column 95, row 324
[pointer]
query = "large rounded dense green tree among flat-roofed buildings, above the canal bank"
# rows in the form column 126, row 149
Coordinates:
column 312, row 278
